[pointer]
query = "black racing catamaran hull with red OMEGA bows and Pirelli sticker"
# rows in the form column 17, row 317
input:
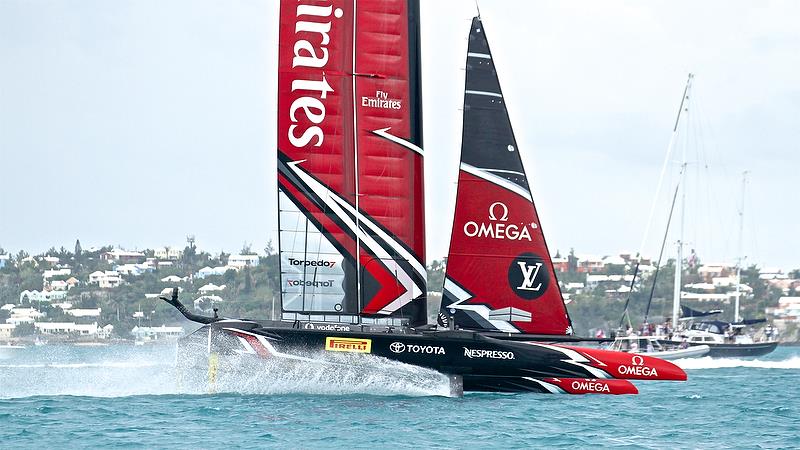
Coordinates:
column 473, row 361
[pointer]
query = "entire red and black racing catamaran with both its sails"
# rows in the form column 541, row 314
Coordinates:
column 352, row 246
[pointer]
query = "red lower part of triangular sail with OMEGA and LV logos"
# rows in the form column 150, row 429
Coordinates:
column 499, row 271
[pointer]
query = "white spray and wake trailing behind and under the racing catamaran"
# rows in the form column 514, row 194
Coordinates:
column 127, row 371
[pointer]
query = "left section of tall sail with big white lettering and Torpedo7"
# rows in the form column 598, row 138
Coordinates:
column 316, row 150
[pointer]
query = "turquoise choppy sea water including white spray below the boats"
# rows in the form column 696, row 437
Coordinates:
column 147, row 397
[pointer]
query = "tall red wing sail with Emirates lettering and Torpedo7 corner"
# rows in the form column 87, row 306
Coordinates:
column 351, row 212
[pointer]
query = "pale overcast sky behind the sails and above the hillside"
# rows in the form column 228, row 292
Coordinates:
column 138, row 122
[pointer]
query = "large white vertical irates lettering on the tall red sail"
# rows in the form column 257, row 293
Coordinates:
column 312, row 36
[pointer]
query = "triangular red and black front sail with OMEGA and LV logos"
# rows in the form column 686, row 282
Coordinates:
column 499, row 273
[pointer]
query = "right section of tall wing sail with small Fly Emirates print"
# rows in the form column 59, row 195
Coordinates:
column 388, row 157
